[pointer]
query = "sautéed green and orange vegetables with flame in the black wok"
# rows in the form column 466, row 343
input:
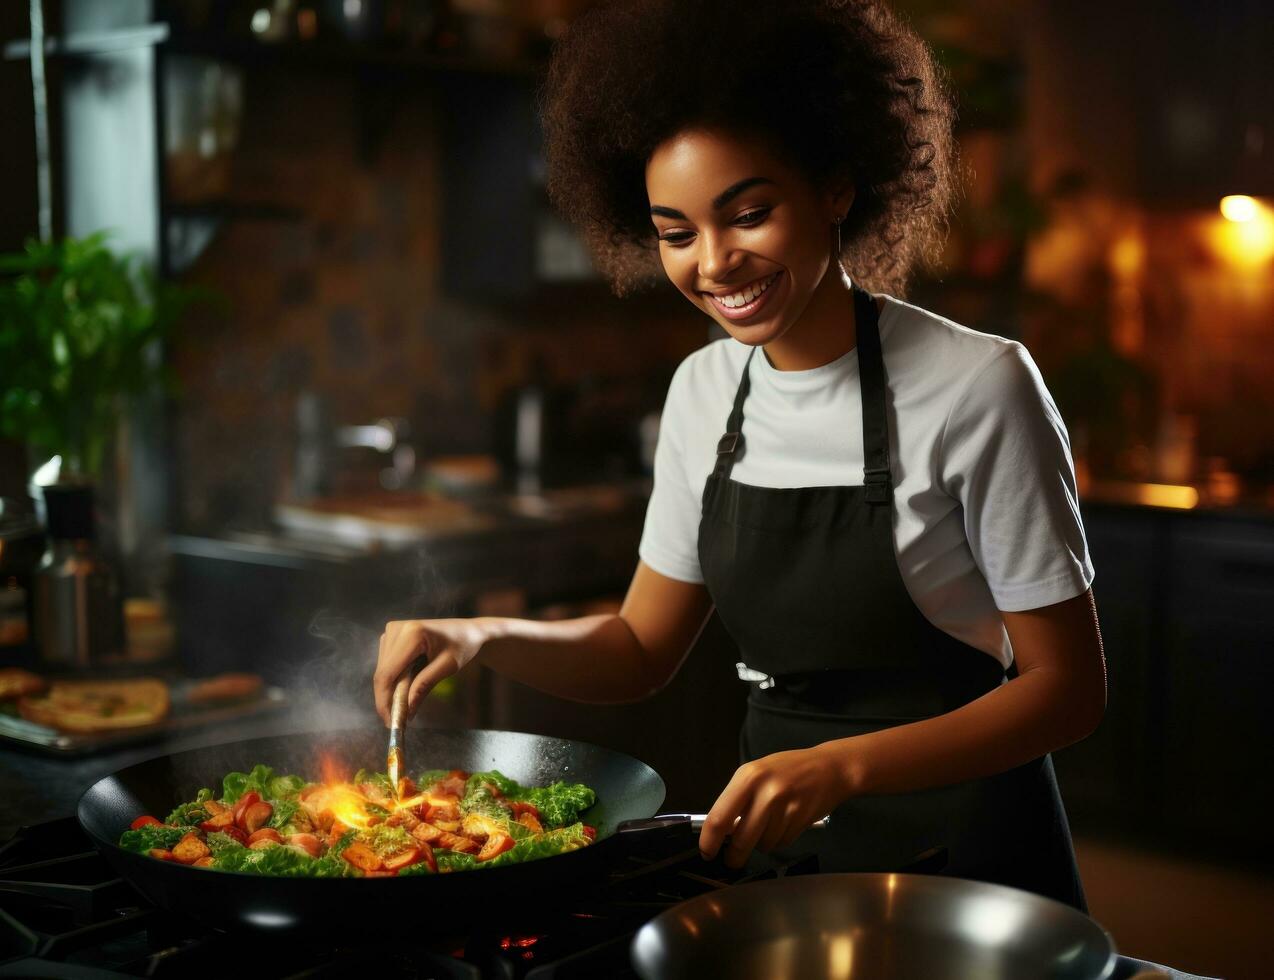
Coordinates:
column 267, row 824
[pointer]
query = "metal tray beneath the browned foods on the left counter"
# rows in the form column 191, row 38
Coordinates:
column 183, row 718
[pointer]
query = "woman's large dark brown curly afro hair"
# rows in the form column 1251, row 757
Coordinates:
column 840, row 89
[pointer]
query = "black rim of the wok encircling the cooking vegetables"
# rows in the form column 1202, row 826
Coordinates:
column 113, row 851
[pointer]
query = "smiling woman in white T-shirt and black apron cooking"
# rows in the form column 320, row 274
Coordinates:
column 878, row 503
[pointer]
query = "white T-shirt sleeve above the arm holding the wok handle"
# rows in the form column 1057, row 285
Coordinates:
column 1006, row 457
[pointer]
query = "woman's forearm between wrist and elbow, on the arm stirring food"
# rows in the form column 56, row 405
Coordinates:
column 594, row 658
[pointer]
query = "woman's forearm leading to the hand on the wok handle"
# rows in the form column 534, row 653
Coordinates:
column 1034, row 714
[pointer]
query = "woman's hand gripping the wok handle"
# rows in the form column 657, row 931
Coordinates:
column 774, row 800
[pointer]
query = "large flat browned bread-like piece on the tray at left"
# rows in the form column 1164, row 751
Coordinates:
column 99, row 705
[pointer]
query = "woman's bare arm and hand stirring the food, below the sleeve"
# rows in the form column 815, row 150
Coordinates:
column 610, row 658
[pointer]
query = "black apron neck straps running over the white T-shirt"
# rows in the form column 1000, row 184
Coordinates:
column 876, row 431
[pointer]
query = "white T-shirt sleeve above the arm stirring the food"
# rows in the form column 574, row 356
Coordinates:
column 669, row 541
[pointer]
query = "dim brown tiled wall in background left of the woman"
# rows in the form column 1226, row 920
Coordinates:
column 347, row 301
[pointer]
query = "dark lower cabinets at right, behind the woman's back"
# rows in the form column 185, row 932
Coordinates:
column 1187, row 605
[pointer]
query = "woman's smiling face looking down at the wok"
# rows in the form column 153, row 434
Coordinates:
column 742, row 234
